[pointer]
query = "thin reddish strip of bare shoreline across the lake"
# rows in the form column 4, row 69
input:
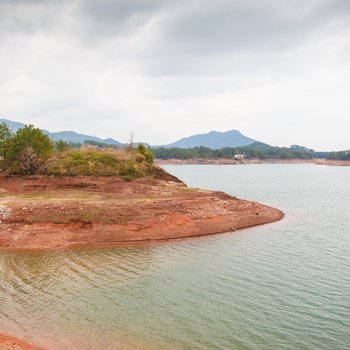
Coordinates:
column 202, row 161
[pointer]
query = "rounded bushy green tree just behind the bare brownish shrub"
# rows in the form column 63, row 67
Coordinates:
column 28, row 136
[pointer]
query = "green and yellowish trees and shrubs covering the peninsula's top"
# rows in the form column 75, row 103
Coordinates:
column 29, row 151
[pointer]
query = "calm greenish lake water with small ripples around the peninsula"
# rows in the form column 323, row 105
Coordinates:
column 279, row 286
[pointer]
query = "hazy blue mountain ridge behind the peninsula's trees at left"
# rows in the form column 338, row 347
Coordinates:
column 68, row 136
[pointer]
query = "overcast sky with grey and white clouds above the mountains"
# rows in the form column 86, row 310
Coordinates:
column 277, row 70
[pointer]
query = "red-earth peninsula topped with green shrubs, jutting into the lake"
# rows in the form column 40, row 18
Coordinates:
column 53, row 197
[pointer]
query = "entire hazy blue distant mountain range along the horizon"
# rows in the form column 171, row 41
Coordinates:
column 213, row 139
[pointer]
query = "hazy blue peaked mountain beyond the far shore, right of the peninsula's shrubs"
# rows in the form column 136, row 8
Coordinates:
column 213, row 140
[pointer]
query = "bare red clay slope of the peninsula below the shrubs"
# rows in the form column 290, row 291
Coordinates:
column 51, row 213
